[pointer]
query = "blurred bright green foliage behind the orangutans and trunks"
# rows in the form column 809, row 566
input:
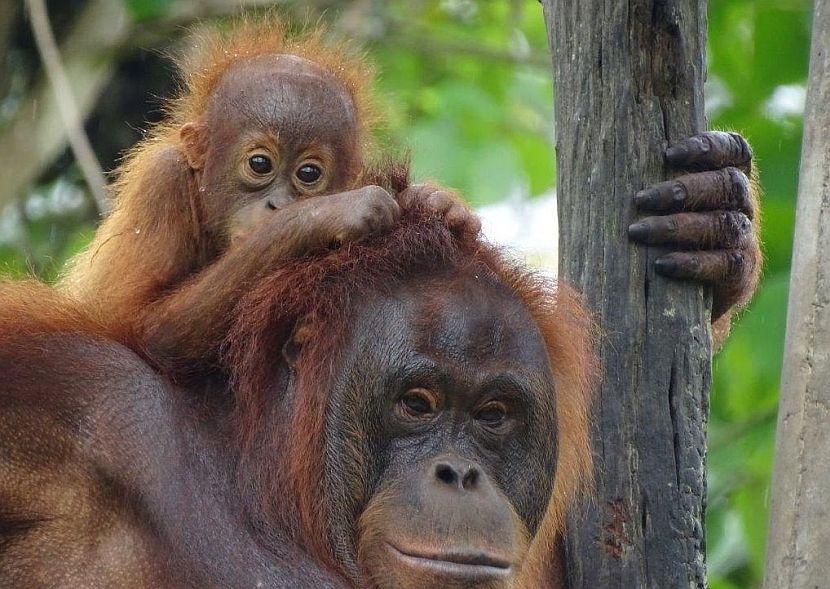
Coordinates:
column 465, row 84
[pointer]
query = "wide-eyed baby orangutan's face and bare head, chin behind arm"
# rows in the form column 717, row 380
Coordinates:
column 278, row 129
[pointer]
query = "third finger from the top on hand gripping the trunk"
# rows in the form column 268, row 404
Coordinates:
column 712, row 230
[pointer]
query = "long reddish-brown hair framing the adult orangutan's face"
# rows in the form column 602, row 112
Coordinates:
column 322, row 293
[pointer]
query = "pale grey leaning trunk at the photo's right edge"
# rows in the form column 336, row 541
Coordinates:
column 799, row 540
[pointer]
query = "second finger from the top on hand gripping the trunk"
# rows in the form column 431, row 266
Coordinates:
column 726, row 189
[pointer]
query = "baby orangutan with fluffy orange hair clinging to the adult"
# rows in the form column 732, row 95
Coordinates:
column 261, row 160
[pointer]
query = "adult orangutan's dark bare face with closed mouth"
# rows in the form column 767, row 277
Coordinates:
column 453, row 399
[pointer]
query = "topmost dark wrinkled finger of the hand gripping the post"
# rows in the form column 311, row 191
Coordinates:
column 711, row 150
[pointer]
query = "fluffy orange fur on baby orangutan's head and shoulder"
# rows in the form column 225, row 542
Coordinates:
column 157, row 235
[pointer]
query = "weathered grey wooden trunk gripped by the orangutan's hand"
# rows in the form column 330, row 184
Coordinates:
column 628, row 78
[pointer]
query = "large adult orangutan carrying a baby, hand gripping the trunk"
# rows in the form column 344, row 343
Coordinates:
column 411, row 411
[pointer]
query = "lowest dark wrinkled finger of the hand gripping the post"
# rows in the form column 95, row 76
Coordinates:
column 713, row 267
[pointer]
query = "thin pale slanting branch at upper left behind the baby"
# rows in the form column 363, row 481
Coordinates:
column 78, row 140
